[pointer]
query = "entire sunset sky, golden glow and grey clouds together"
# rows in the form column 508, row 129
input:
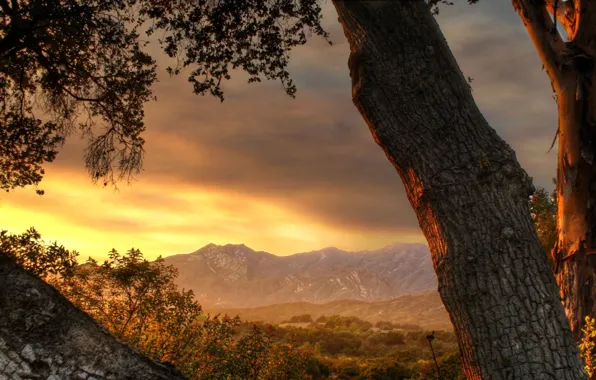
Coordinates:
column 279, row 174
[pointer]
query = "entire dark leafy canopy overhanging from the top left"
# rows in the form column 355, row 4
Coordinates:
column 80, row 65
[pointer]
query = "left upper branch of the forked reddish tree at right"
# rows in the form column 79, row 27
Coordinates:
column 546, row 39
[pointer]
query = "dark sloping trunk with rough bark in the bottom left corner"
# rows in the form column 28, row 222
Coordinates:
column 43, row 336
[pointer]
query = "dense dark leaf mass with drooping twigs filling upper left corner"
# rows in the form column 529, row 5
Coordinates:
column 68, row 65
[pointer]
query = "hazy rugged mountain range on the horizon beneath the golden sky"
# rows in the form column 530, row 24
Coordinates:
column 235, row 276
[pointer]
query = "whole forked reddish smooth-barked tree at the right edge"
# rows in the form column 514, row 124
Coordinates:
column 571, row 68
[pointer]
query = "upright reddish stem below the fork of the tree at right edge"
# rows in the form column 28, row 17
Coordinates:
column 576, row 201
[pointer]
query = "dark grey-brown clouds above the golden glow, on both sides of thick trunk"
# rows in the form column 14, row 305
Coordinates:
column 315, row 154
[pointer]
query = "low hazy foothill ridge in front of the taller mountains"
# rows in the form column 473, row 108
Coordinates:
column 425, row 310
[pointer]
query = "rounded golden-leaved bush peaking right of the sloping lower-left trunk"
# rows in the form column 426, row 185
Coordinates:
column 138, row 302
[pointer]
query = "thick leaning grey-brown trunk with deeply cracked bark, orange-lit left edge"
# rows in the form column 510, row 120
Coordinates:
column 467, row 189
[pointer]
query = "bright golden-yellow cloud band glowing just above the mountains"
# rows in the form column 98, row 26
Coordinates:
column 163, row 218
